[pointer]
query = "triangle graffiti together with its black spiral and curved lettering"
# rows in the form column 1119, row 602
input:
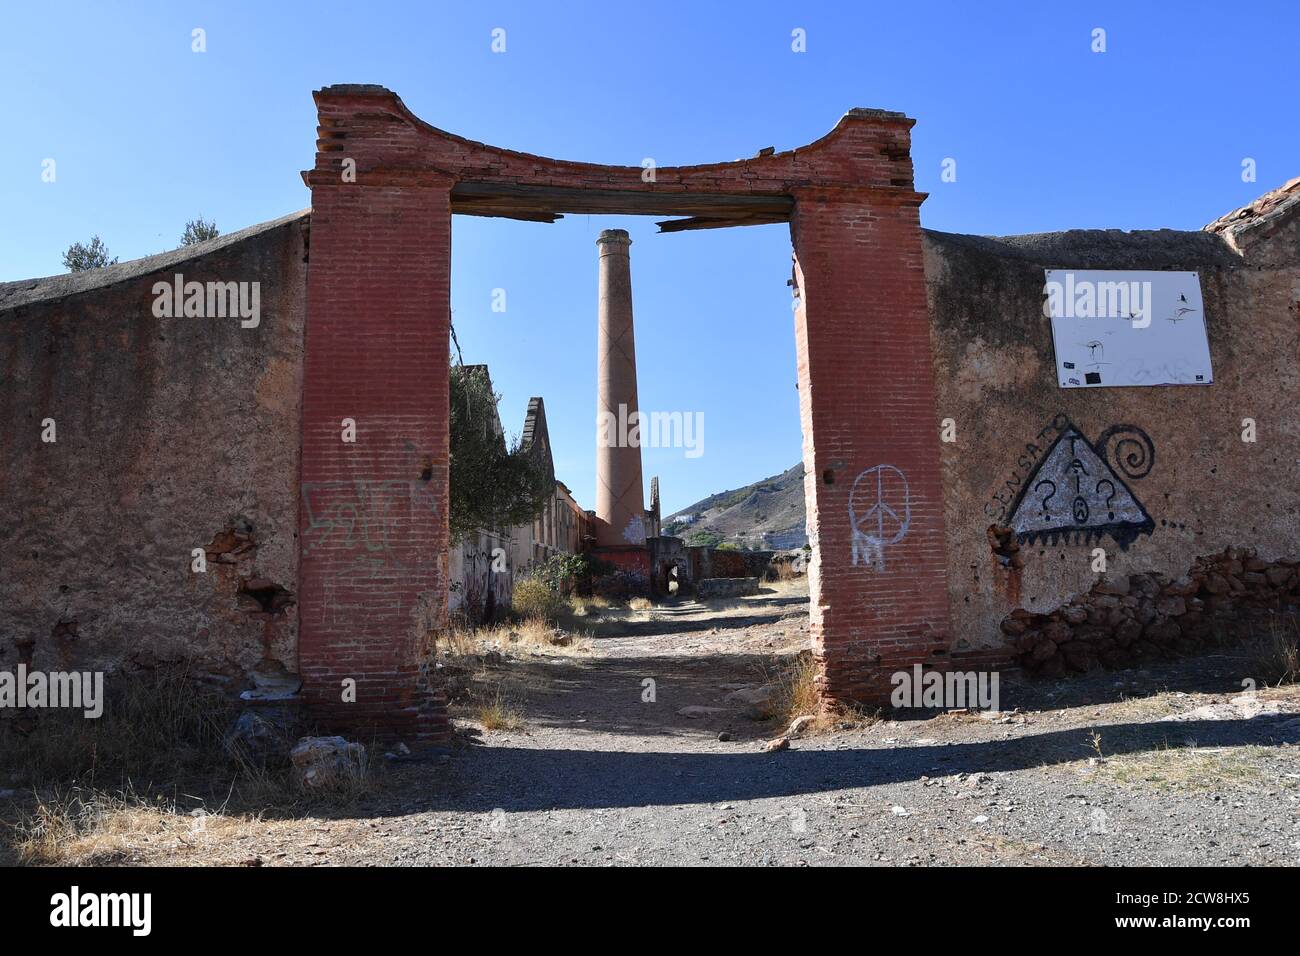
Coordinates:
column 1076, row 492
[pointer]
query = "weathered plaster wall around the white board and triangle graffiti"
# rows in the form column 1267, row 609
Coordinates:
column 1203, row 488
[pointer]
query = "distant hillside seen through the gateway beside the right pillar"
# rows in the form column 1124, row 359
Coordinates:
column 766, row 514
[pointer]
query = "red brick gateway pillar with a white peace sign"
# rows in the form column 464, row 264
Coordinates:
column 876, row 508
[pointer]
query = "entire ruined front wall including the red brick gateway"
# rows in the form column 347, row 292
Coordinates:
column 931, row 403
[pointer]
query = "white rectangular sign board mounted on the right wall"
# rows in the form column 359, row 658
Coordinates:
column 1128, row 328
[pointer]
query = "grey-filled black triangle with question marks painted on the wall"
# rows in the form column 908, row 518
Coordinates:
column 1076, row 498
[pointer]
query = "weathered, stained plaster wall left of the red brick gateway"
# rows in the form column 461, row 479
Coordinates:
column 174, row 434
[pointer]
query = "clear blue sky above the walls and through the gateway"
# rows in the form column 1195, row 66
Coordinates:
column 1046, row 133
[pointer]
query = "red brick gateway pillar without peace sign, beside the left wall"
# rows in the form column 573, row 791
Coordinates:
column 374, row 514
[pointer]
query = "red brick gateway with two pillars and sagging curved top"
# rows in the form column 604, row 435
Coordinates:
column 374, row 526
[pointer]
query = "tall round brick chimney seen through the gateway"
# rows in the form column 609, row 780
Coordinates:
column 619, row 498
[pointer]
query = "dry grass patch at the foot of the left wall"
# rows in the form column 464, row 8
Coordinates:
column 109, row 789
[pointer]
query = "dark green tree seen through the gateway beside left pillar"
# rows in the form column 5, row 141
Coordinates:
column 492, row 485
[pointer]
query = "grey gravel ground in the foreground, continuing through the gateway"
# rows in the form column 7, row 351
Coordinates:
column 1141, row 768
